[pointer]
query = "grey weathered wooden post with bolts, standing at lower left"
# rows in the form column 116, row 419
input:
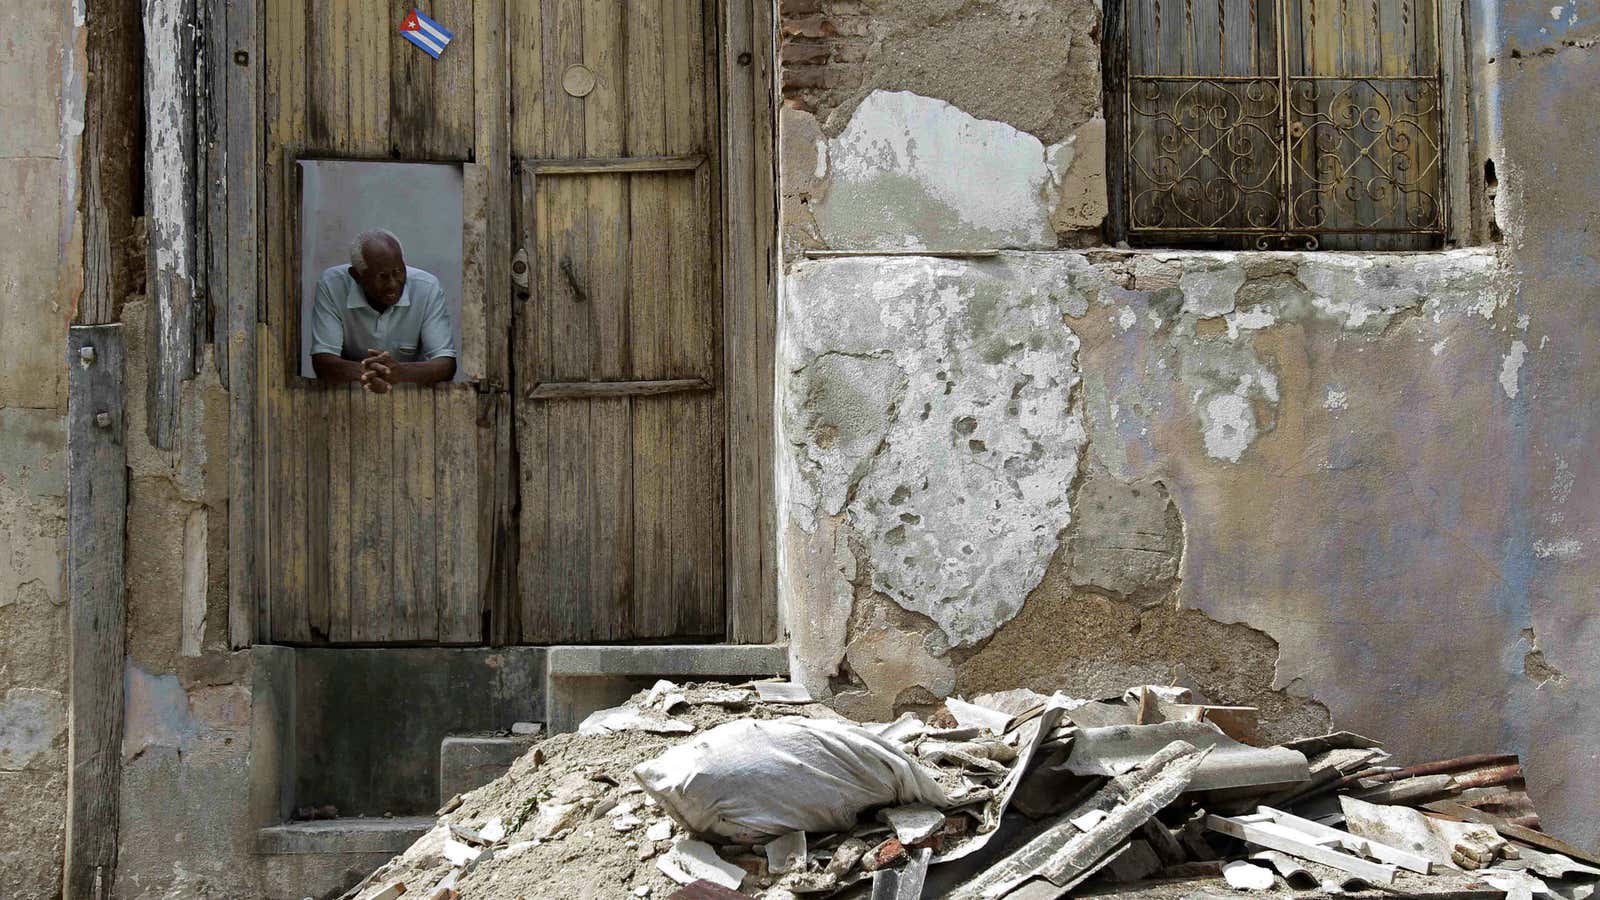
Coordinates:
column 97, row 504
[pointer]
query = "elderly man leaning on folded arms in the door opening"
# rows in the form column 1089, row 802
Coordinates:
column 382, row 323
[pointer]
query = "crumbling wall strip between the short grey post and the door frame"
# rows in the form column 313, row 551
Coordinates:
column 188, row 824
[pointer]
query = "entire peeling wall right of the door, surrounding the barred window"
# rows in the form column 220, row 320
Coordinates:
column 1348, row 489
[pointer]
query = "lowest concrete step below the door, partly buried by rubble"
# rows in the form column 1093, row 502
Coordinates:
column 327, row 858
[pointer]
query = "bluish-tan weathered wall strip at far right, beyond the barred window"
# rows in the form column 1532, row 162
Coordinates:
column 1542, row 63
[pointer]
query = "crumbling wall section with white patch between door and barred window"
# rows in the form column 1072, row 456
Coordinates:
column 942, row 124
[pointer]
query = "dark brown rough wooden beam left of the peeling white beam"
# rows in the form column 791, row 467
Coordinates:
column 111, row 158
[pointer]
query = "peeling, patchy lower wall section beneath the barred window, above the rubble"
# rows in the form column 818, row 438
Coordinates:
column 1279, row 478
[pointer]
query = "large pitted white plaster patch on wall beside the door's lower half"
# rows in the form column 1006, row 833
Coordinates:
column 932, row 403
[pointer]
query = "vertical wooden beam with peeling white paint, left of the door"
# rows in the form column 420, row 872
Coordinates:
column 170, row 207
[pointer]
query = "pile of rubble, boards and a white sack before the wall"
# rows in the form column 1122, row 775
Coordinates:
column 756, row 792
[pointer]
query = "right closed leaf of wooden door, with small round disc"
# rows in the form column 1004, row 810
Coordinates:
column 618, row 331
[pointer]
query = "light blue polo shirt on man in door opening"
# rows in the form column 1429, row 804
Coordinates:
column 415, row 329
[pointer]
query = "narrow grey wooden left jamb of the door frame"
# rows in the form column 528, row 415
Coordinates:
column 242, row 236
